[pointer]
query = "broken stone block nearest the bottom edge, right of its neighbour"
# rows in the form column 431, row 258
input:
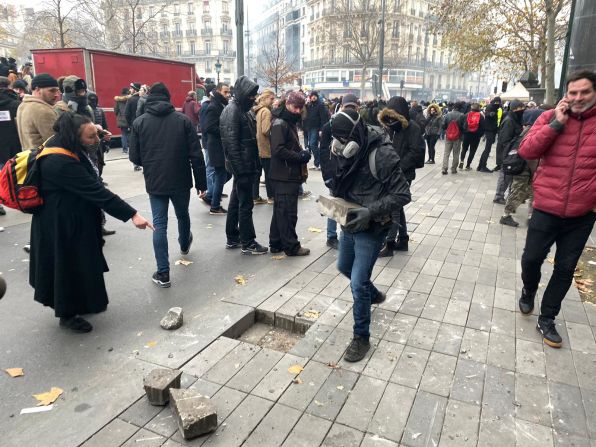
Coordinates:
column 195, row 413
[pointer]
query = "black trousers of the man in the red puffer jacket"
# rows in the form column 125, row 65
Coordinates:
column 570, row 235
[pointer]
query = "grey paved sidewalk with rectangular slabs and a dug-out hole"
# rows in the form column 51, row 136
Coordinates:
column 453, row 362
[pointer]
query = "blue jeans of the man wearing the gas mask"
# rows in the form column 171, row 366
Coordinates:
column 358, row 253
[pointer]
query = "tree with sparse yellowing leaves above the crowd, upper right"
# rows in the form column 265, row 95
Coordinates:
column 511, row 34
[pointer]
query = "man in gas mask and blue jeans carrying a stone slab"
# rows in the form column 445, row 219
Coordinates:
column 368, row 174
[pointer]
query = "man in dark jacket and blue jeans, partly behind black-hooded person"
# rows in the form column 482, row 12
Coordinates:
column 215, row 156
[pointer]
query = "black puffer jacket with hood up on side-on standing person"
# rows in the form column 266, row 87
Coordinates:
column 238, row 130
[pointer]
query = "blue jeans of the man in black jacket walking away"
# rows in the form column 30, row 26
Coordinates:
column 159, row 209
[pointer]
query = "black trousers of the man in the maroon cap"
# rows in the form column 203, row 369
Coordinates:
column 282, row 233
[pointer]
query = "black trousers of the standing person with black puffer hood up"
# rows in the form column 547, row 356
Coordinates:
column 239, row 225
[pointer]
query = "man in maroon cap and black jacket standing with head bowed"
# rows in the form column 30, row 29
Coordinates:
column 288, row 164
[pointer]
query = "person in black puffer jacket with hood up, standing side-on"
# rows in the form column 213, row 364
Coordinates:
column 239, row 140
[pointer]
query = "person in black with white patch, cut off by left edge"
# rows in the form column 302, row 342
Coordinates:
column 10, row 144
